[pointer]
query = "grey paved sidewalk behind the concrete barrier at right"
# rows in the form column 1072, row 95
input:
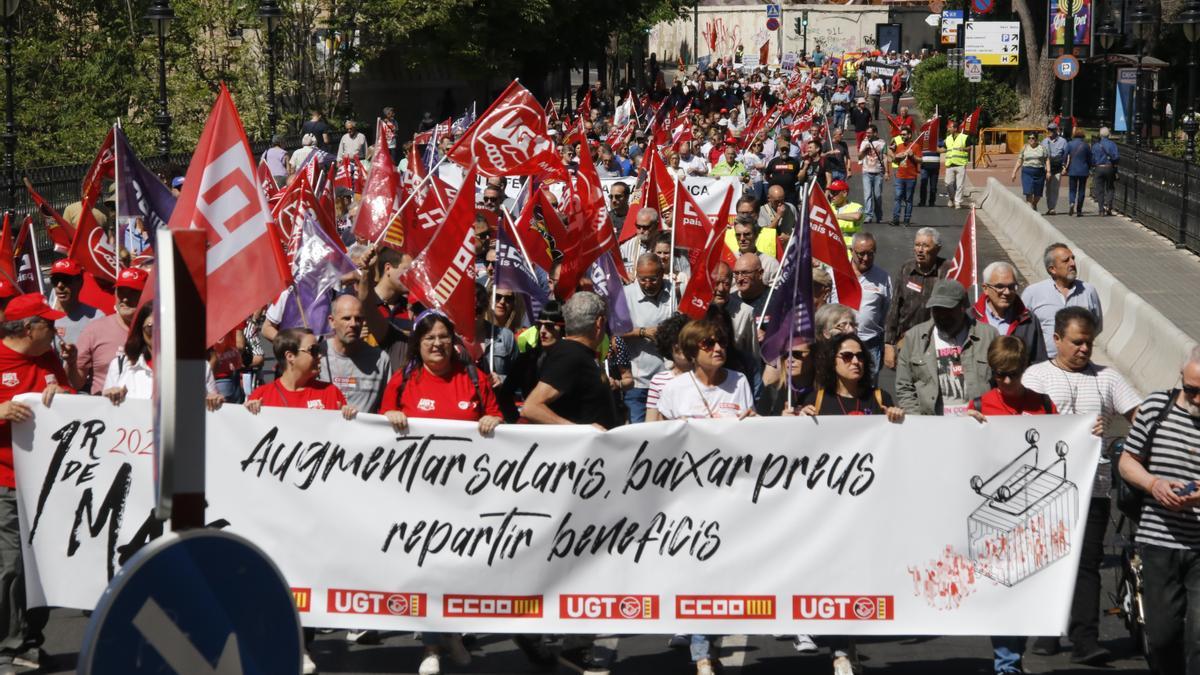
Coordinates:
column 1148, row 264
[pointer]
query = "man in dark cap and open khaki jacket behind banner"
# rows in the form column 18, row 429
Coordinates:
column 944, row 362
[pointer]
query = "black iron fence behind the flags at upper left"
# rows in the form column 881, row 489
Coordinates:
column 62, row 186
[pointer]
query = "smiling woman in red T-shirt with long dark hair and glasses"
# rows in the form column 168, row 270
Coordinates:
column 439, row 383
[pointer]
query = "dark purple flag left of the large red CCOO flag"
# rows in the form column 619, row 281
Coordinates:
column 141, row 198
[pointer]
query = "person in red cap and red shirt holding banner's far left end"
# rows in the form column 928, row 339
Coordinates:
column 28, row 366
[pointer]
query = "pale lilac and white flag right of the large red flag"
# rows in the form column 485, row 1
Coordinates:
column 317, row 271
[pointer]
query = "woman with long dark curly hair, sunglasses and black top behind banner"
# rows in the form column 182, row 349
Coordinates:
column 845, row 385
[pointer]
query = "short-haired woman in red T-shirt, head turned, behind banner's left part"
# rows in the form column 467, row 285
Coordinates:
column 298, row 386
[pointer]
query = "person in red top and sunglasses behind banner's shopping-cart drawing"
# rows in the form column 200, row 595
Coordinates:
column 1009, row 359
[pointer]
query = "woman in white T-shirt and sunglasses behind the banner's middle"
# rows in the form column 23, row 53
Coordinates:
column 709, row 390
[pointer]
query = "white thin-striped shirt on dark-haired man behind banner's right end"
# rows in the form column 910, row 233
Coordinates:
column 1094, row 391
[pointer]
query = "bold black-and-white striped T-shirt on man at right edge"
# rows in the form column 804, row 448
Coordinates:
column 1175, row 456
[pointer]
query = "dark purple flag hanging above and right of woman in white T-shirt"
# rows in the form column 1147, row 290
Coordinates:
column 789, row 312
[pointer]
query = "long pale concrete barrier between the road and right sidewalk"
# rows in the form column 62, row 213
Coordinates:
column 1142, row 343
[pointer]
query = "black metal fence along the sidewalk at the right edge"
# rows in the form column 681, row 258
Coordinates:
column 1161, row 193
